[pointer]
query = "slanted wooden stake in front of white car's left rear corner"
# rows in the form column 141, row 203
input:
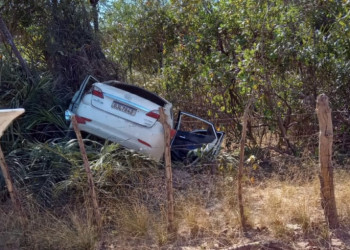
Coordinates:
column 88, row 172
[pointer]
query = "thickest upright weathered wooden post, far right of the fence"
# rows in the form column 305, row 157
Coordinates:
column 325, row 157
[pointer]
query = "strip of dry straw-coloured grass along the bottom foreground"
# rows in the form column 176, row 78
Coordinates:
column 206, row 217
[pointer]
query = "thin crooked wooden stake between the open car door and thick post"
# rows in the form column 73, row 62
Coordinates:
column 240, row 167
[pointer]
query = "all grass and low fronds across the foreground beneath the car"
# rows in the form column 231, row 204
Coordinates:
column 131, row 190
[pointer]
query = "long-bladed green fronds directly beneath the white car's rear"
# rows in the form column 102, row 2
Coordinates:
column 53, row 172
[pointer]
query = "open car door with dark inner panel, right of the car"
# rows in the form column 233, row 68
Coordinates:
column 194, row 139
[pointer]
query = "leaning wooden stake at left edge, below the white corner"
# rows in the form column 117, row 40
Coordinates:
column 10, row 187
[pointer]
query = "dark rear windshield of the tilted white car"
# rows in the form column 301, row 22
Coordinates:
column 139, row 92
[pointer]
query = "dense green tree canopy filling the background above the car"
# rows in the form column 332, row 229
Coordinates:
column 205, row 56
